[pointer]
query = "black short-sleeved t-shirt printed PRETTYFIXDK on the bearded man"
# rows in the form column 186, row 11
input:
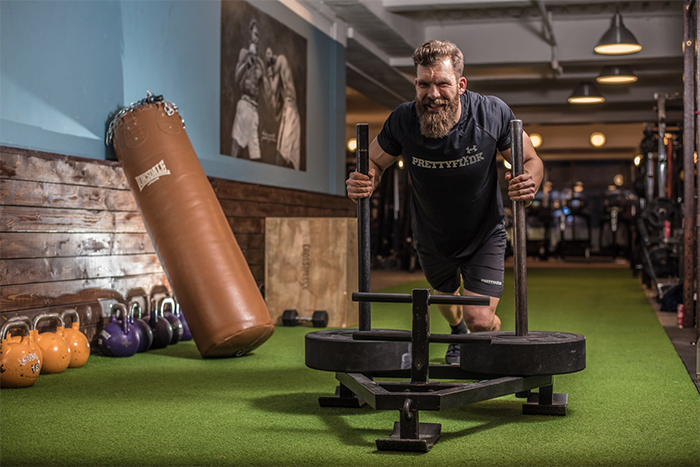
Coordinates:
column 456, row 199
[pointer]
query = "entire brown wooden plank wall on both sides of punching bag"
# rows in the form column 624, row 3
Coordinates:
column 71, row 235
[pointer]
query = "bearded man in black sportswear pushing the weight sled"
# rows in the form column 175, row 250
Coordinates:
column 449, row 138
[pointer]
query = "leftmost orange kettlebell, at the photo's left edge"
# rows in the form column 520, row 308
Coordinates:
column 19, row 364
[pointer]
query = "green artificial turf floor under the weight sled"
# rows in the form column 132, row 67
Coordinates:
column 634, row 404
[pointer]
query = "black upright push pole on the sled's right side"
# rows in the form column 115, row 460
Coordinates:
column 519, row 232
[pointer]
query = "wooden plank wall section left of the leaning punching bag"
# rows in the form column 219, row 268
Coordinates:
column 70, row 233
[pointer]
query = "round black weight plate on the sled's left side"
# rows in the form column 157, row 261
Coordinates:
column 335, row 350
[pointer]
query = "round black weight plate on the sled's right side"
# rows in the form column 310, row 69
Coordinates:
column 537, row 353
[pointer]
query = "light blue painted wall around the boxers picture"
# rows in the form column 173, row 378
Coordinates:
column 66, row 65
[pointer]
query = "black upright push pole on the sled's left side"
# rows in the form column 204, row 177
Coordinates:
column 363, row 212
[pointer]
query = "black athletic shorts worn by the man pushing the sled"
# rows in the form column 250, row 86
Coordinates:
column 481, row 272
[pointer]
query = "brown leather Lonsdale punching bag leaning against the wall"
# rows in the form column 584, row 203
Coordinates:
column 205, row 266
